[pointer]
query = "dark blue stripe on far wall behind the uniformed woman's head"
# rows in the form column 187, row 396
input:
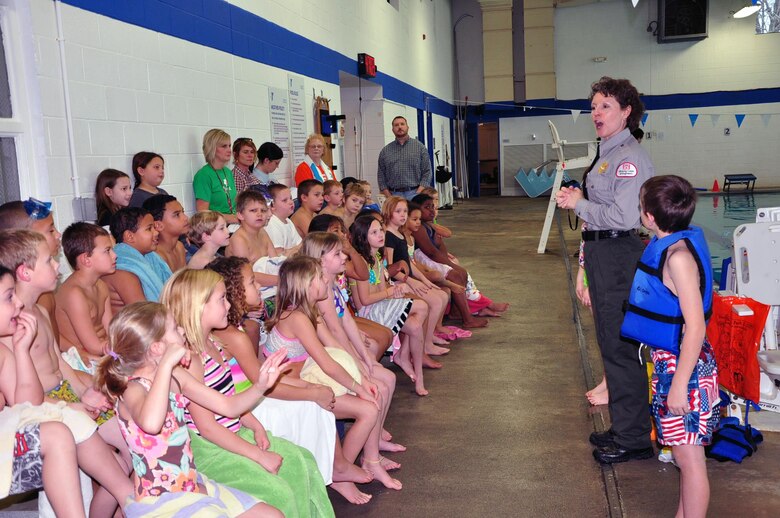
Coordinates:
column 547, row 107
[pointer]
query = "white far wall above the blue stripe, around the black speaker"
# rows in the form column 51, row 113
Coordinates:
column 732, row 57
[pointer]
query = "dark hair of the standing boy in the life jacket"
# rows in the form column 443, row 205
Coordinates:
column 671, row 200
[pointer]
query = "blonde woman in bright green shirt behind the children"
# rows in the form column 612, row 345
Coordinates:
column 214, row 186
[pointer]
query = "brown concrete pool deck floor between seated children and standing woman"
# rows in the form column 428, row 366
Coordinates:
column 505, row 429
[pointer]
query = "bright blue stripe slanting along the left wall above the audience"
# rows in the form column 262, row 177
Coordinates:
column 223, row 26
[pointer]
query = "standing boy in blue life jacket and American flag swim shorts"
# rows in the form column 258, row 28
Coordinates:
column 669, row 302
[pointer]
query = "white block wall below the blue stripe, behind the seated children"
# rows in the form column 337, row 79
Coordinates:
column 132, row 89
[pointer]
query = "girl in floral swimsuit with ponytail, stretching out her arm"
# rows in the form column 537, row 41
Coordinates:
column 145, row 372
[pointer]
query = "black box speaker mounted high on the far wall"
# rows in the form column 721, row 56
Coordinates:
column 682, row 20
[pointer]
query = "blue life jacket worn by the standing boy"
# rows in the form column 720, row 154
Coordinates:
column 653, row 315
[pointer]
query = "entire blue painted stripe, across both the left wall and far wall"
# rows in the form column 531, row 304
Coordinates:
column 223, row 26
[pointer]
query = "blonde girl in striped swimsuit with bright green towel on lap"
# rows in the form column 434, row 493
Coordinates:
column 236, row 450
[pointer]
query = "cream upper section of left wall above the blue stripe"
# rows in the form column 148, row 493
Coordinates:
column 393, row 36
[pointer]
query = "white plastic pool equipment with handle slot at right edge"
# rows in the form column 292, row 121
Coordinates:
column 756, row 256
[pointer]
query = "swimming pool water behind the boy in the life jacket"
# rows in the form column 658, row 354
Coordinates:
column 718, row 215
